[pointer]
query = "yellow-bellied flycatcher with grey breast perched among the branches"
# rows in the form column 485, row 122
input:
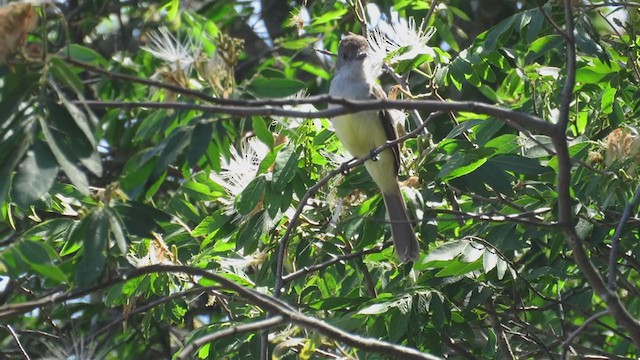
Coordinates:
column 364, row 131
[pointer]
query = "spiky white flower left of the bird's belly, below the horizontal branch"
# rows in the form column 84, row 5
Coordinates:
column 242, row 168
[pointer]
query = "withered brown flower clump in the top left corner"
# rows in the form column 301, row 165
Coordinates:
column 16, row 21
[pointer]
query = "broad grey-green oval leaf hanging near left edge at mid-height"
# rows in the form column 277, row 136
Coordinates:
column 35, row 175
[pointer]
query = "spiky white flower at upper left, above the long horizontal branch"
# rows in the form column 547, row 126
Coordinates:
column 180, row 56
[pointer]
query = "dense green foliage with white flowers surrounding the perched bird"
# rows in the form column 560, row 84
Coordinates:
column 124, row 146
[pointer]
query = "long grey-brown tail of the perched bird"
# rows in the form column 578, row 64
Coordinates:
column 404, row 238
